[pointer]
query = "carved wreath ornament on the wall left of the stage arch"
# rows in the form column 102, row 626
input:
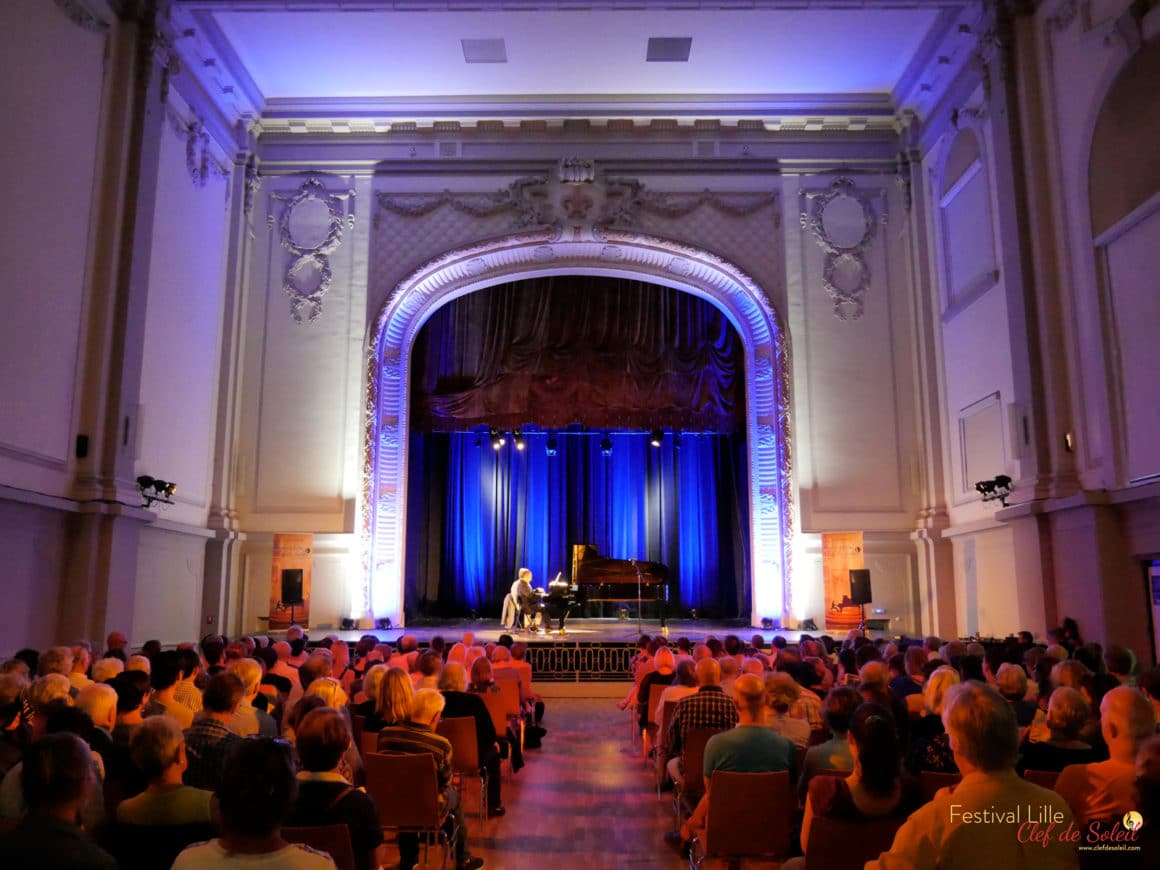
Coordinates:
column 310, row 228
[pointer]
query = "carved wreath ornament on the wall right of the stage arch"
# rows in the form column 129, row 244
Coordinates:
column 843, row 221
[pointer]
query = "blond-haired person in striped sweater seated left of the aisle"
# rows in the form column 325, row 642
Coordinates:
column 418, row 735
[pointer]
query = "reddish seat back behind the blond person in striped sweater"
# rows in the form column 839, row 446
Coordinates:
column 405, row 791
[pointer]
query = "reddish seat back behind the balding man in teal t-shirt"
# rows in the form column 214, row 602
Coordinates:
column 750, row 815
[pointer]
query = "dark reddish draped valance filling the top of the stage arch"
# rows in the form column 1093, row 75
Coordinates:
column 565, row 350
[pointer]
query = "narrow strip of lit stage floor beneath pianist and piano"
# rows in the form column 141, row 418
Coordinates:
column 577, row 632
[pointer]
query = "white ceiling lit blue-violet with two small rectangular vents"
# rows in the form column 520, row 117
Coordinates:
column 375, row 59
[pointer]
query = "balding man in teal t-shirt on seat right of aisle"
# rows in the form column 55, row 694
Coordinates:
column 749, row 749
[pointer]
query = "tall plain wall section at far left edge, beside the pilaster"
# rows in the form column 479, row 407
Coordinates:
column 49, row 150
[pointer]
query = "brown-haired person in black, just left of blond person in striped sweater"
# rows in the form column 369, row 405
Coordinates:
column 325, row 797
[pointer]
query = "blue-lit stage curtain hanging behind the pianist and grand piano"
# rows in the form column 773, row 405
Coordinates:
column 477, row 516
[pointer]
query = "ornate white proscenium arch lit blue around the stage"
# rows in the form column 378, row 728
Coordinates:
column 380, row 590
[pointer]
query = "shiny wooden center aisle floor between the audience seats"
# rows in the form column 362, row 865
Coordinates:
column 584, row 802
